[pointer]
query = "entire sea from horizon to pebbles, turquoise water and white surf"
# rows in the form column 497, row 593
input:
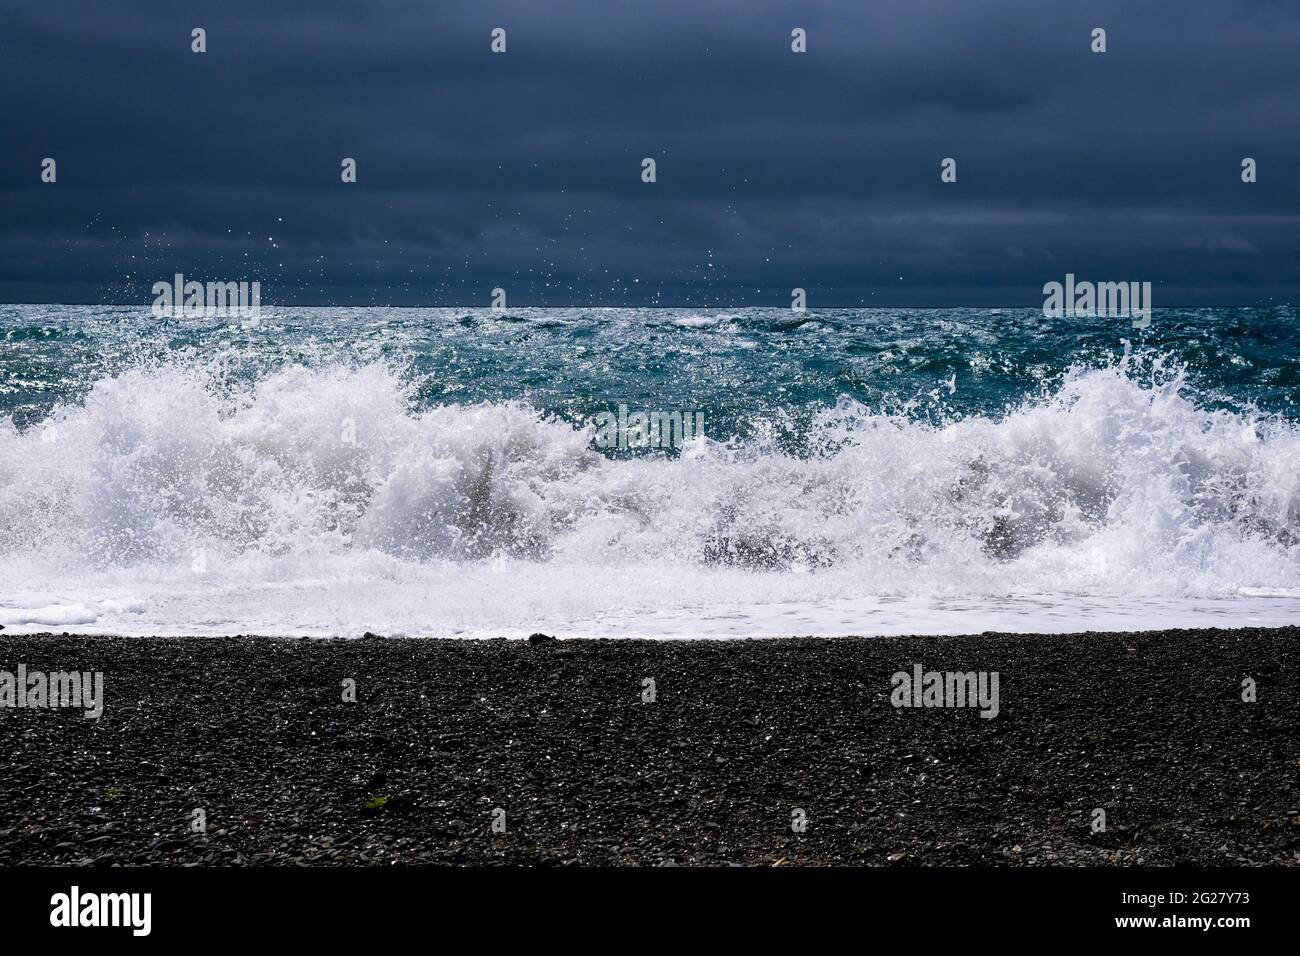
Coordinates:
column 437, row 473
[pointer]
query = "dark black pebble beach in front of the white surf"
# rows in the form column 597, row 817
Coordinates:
column 1147, row 726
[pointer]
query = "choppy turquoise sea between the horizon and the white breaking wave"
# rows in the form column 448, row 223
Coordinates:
column 743, row 367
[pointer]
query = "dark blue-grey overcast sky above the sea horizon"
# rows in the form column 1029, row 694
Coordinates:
column 774, row 170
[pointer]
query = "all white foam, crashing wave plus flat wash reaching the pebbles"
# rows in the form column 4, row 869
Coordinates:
column 322, row 501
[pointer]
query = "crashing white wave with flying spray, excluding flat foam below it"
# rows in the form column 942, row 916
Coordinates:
column 1107, row 483
